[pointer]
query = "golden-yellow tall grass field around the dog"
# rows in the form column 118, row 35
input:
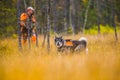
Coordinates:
column 101, row 63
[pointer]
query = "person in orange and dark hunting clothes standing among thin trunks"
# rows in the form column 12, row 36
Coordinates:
column 25, row 18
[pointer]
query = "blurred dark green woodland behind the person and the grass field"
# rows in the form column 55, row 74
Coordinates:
column 66, row 16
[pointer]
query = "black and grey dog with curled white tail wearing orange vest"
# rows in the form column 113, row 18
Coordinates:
column 70, row 45
